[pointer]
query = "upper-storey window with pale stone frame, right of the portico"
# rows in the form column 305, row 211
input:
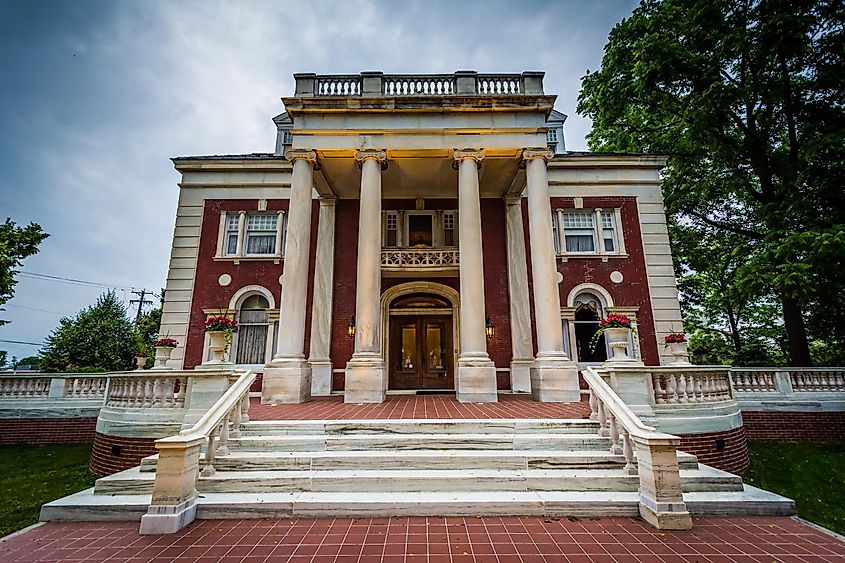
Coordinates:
column 586, row 231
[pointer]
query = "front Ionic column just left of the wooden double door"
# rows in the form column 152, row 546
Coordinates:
column 366, row 378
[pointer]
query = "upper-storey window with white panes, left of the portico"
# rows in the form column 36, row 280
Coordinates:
column 261, row 232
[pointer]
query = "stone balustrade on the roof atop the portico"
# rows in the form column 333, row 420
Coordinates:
column 378, row 84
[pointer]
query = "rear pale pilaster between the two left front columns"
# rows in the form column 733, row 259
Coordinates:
column 321, row 308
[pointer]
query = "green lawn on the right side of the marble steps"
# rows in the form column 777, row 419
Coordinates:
column 813, row 474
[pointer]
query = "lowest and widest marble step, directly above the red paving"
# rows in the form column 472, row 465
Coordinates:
column 88, row 506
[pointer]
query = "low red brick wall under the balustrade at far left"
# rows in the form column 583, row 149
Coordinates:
column 47, row 430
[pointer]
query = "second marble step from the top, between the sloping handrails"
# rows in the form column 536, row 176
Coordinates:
column 448, row 441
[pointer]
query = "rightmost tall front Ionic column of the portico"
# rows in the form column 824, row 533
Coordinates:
column 554, row 377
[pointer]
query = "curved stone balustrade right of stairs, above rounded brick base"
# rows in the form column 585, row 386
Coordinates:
column 690, row 385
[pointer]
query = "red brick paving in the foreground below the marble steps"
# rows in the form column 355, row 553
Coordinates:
column 430, row 540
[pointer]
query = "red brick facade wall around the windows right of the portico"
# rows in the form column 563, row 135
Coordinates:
column 633, row 291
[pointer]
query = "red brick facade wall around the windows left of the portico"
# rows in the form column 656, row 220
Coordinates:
column 208, row 294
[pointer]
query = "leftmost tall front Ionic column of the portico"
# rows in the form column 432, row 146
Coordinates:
column 287, row 377
